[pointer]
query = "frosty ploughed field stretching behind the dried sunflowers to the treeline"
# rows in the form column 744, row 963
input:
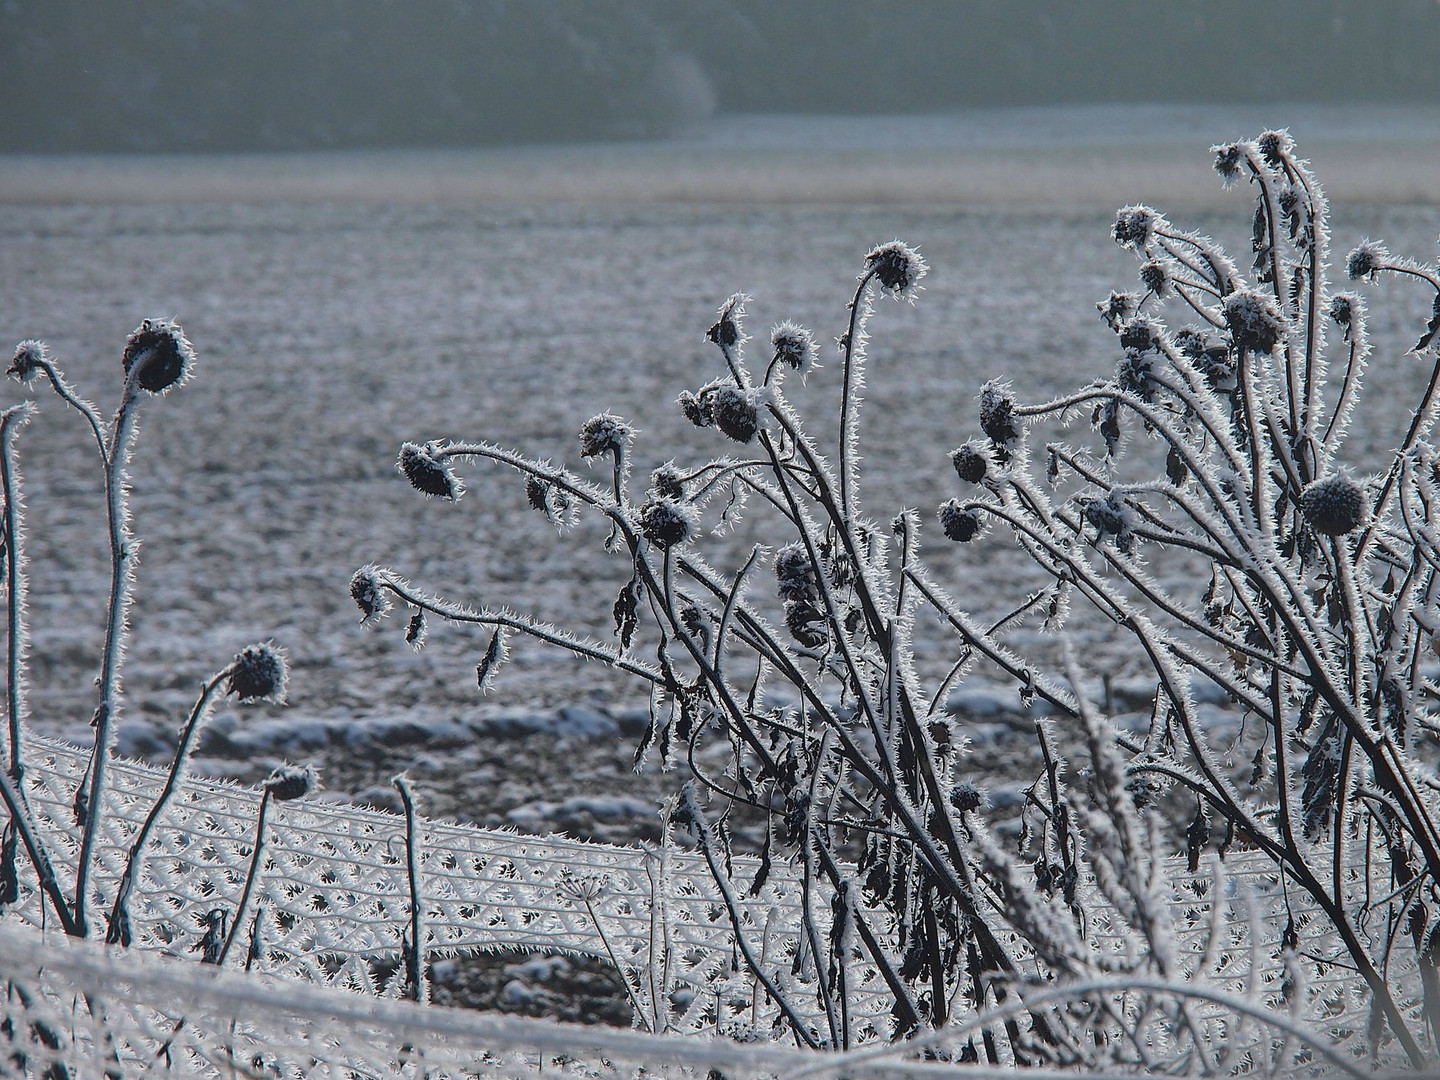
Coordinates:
column 339, row 312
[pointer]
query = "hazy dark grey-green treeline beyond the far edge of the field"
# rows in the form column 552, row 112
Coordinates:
column 222, row 76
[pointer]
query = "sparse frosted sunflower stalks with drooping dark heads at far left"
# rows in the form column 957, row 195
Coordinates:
column 156, row 359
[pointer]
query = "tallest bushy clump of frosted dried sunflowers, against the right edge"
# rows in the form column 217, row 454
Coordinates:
column 1317, row 613
